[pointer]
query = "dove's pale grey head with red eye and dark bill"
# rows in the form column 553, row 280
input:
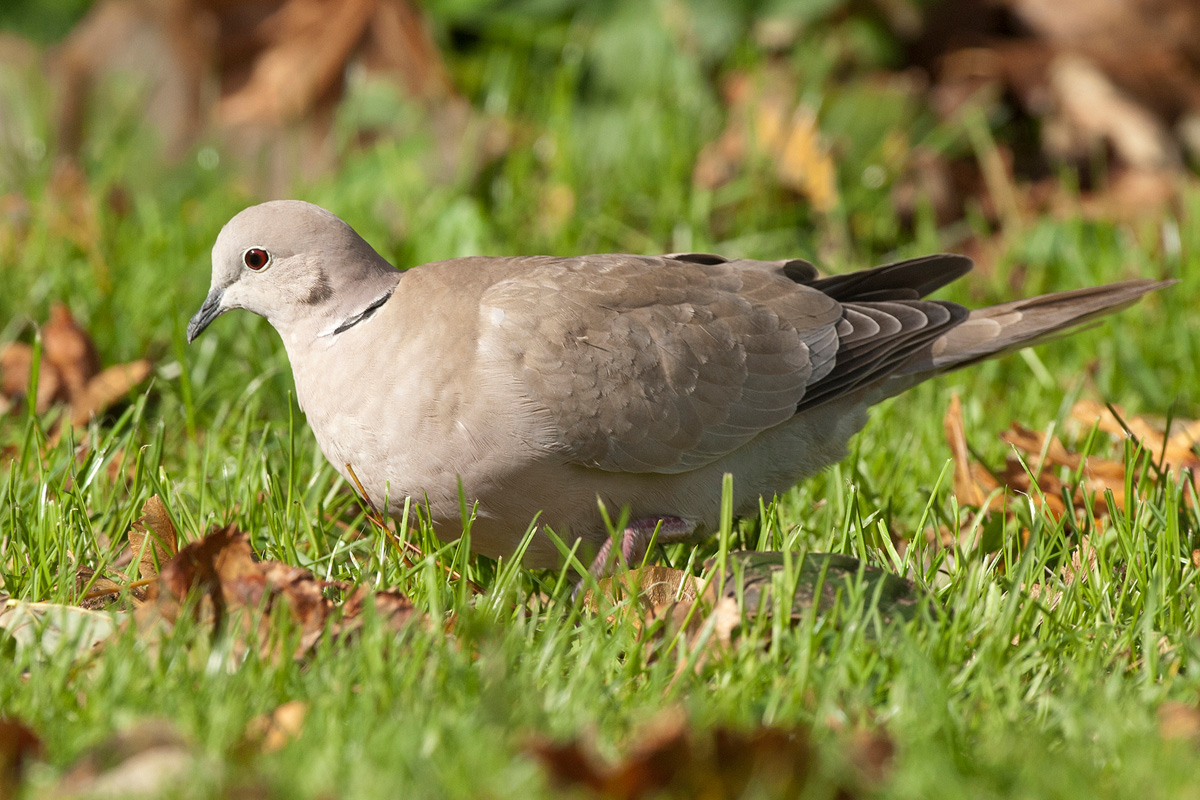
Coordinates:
column 296, row 264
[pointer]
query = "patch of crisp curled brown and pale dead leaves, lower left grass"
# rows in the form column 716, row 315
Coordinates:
column 217, row 581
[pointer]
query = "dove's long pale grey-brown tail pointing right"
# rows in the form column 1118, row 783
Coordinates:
column 1011, row 327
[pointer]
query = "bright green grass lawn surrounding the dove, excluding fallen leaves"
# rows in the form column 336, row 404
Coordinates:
column 989, row 693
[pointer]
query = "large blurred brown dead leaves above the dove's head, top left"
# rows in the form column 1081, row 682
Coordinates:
column 269, row 75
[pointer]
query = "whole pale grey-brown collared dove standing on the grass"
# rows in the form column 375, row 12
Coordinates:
column 544, row 387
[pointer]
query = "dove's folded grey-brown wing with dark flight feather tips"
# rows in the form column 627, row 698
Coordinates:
column 669, row 364
